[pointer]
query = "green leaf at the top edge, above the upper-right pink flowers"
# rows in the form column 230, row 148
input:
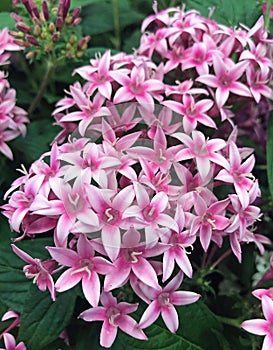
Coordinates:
column 230, row 13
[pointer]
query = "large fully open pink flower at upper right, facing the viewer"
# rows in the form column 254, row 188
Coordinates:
column 225, row 79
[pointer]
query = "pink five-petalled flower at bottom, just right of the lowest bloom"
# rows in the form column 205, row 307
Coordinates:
column 163, row 302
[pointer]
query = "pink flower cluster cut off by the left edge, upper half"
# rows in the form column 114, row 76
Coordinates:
column 12, row 117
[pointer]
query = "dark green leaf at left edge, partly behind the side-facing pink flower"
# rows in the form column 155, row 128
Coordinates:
column 14, row 286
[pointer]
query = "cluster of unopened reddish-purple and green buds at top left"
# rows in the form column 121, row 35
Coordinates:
column 50, row 30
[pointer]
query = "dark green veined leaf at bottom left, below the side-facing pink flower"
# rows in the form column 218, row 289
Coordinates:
column 43, row 320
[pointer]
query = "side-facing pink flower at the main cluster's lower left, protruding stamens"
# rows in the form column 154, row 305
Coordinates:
column 39, row 270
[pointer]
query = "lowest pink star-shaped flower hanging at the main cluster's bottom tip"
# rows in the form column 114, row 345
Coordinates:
column 113, row 315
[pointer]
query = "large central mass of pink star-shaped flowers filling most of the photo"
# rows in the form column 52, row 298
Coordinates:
column 143, row 174
